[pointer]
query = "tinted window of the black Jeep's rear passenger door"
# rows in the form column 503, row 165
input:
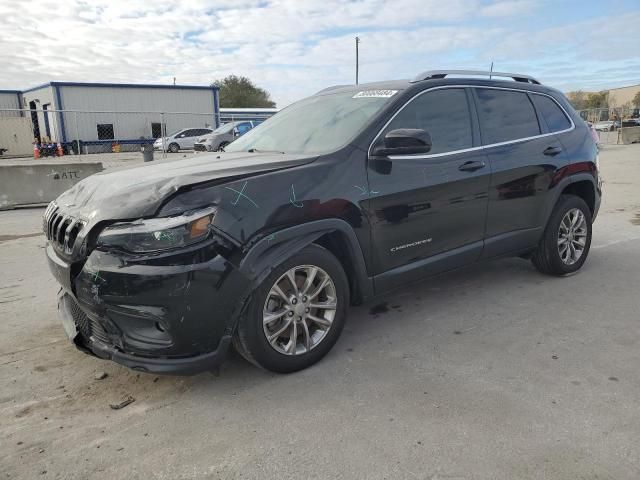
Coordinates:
column 505, row 115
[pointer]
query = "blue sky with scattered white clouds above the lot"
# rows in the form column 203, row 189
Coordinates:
column 293, row 48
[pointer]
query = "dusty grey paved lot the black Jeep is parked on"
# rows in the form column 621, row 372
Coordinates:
column 491, row 372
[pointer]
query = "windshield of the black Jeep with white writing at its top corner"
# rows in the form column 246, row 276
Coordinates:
column 317, row 124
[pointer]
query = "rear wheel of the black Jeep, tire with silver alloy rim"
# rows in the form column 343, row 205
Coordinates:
column 554, row 255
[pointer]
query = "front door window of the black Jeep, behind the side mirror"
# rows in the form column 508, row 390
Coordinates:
column 444, row 114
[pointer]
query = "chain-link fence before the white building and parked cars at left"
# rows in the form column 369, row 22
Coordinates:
column 43, row 133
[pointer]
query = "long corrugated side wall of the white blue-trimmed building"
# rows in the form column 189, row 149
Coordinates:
column 198, row 105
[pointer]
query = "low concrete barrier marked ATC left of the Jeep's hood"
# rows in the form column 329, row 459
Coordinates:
column 35, row 183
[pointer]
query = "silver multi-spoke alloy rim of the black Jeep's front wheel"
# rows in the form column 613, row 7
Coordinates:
column 299, row 310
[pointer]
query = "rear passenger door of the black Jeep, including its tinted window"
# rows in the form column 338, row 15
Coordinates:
column 524, row 158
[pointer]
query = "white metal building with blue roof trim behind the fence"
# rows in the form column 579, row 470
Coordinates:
column 100, row 114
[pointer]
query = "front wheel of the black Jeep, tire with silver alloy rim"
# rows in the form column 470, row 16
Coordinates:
column 250, row 339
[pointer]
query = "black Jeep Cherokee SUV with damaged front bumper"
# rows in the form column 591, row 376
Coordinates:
column 339, row 197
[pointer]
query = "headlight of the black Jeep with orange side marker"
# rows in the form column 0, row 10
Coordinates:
column 156, row 234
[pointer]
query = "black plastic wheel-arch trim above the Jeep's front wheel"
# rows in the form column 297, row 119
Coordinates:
column 335, row 235
